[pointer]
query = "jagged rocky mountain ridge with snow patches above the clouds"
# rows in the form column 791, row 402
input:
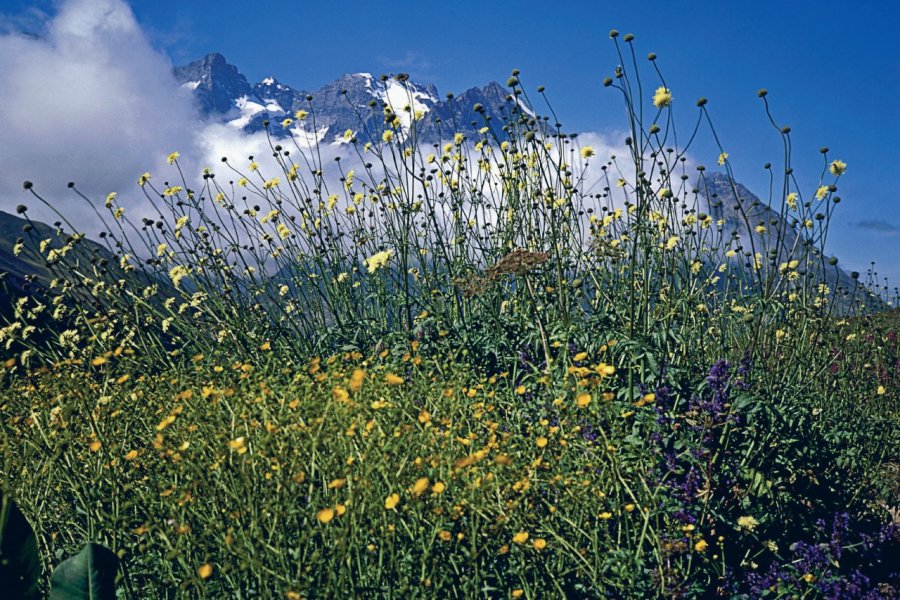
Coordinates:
column 355, row 102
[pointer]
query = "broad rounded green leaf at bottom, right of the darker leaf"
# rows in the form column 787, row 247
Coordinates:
column 90, row 574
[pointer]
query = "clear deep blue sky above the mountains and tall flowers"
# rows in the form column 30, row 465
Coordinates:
column 832, row 70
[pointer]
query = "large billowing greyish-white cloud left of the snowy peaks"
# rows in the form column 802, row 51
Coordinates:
column 88, row 100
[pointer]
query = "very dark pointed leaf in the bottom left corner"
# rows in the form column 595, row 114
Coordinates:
column 20, row 563
